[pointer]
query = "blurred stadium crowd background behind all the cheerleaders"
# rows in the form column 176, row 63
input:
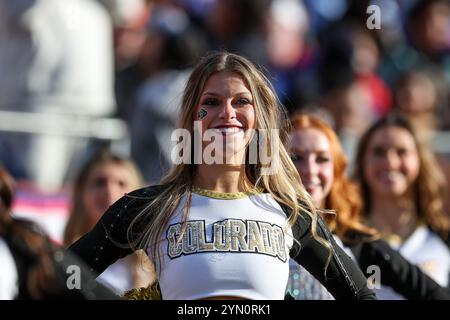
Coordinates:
column 77, row 76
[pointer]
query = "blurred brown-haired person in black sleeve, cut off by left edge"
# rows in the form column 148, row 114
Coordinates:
column 32, row 267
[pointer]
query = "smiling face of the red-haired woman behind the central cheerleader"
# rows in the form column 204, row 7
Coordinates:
column 311, row 153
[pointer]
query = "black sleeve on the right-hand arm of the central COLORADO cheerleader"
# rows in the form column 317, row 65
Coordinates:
column 342, row 278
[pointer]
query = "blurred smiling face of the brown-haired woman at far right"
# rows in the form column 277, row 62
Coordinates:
column 391, row 162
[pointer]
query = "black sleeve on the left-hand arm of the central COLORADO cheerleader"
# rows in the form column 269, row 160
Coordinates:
column 109, row 241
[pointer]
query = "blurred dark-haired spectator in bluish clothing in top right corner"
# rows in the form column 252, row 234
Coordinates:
column 422, row 41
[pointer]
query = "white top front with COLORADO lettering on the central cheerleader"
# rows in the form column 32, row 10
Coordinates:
column 231, row 247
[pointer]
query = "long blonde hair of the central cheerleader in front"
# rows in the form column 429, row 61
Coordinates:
column 284, row 185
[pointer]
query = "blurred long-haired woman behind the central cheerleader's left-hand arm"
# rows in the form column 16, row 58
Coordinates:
column 103, row 180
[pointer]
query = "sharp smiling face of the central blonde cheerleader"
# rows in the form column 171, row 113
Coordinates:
column 226, row 109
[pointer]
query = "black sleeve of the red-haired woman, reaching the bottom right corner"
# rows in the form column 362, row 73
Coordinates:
column 396, row 272
